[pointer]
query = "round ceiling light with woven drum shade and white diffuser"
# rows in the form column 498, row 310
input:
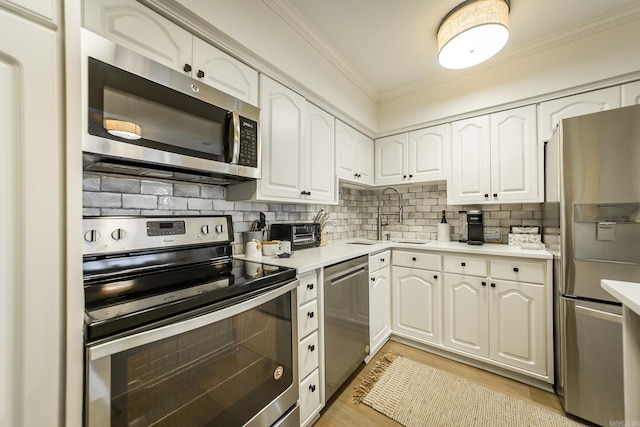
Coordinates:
column 473, row 32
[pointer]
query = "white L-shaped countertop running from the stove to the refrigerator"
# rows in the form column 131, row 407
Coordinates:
column 341, row 250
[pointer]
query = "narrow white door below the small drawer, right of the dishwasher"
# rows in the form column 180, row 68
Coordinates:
column 379, row 307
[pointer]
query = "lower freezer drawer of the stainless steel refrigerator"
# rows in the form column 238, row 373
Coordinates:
column 591, row 386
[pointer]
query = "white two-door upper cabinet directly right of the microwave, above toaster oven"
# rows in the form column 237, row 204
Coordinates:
column 297, row 150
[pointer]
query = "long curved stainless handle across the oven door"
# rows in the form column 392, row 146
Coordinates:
column 101, row 350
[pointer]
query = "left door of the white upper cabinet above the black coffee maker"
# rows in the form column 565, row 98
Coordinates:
column 470, row 180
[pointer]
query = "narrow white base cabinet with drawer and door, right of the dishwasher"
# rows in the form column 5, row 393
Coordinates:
column 379, row 301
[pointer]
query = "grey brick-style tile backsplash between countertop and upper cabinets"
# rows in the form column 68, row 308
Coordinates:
column 355, row 216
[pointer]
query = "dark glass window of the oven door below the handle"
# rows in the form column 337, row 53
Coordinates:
column 218, row 375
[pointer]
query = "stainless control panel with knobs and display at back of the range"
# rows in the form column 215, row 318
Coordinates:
column 104, row 235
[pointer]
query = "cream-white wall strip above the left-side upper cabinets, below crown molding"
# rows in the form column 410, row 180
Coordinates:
column 258, row 28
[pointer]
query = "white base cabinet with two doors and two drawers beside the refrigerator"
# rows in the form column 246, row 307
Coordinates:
column 499, row 313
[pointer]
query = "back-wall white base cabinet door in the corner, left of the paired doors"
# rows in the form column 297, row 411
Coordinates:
column 416, row 303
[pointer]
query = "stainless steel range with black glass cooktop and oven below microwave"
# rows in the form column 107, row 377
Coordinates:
column 180, row 333
